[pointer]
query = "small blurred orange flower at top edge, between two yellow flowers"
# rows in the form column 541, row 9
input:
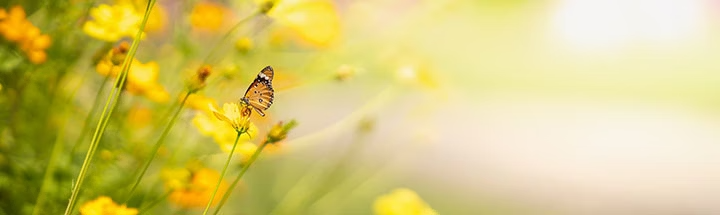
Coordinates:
column 207, row 16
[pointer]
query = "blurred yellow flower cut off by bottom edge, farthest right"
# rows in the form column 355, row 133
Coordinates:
column 402, row 201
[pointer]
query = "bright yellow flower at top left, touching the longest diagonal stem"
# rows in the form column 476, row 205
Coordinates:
column 113, row 22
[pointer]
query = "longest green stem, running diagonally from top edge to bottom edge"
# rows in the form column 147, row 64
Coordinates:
column 107, row 112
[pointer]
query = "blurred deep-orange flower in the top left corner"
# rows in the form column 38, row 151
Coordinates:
column 16, row 28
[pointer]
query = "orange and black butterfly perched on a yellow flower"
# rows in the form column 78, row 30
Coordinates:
column 260, row 94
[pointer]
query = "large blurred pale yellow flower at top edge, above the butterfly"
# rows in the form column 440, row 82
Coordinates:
column 316, row 22
